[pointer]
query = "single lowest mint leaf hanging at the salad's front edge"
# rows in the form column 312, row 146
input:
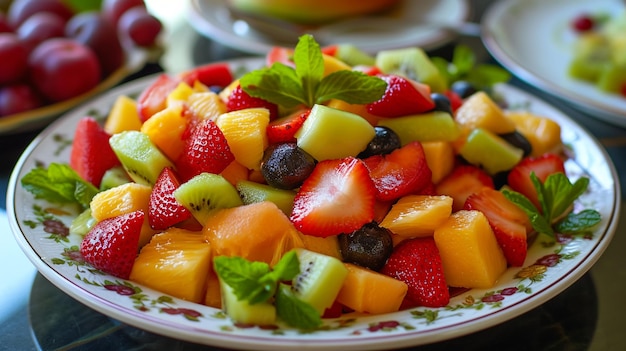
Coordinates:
column 294, row 311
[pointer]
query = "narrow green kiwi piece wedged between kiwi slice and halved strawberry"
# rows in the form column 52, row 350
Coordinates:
column 252, row 192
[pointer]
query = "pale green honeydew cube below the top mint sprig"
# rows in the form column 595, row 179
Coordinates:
column 329, row 133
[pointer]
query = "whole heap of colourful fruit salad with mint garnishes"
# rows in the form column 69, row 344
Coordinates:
column 315, row 186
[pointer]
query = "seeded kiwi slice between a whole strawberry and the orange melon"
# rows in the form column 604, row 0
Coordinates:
column 206, row 193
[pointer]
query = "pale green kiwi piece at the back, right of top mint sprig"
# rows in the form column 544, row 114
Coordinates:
column 412, row 63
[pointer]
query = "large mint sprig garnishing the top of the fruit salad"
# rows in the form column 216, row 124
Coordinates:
column 306, row 84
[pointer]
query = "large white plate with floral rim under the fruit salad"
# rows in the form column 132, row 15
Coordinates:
column 467, row 313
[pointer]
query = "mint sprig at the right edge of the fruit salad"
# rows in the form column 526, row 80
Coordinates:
column 556, row 196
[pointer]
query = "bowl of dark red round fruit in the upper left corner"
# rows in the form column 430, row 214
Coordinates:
column 56, row 54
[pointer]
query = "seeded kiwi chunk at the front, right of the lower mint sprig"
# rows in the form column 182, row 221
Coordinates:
column 320, row 279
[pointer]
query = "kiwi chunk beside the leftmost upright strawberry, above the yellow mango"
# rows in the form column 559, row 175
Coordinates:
column 142, row 160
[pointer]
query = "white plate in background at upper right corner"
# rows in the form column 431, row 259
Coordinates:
column 533, row 39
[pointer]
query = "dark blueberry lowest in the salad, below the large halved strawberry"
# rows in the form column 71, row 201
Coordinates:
column 369, row 247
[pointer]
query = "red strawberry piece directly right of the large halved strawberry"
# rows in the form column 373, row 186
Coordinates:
column 404, row 171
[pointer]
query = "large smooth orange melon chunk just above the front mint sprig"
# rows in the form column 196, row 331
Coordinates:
column 257, row 232
